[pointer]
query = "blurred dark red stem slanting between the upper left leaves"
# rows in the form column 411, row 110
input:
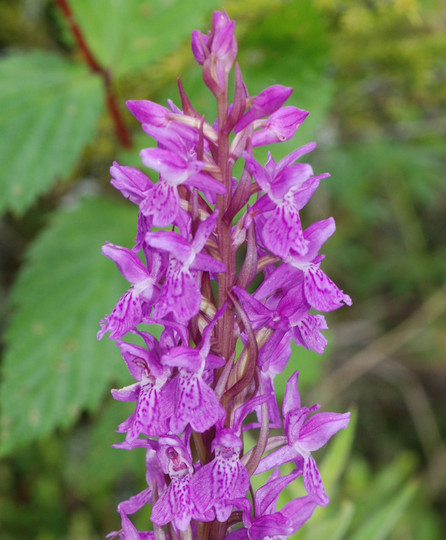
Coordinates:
column 121, row 130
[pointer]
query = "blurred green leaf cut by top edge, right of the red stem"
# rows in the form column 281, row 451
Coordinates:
column 127, row 35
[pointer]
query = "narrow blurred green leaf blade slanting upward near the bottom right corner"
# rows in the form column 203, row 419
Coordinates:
column 379, row 525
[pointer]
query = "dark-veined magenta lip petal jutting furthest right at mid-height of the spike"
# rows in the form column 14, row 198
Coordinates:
column 321, row 293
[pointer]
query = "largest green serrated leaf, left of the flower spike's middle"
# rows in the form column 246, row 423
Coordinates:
column 54, row 367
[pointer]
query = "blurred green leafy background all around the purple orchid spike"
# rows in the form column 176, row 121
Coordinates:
column 372, row 74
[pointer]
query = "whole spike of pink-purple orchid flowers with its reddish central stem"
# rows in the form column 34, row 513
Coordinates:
column 207, row 237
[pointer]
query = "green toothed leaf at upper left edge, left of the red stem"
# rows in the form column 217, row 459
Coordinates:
column 49, row 112
